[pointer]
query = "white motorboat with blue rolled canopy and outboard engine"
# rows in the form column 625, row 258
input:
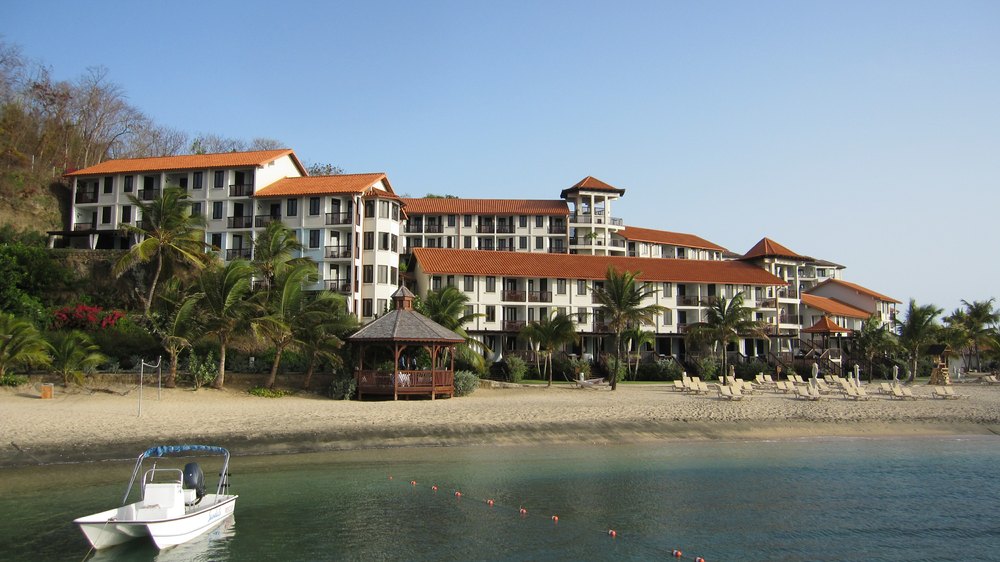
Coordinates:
column 173, row 507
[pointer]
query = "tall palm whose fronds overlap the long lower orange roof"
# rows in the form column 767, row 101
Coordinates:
column 621, row 299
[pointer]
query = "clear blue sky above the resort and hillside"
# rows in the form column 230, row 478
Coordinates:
column 866, row 133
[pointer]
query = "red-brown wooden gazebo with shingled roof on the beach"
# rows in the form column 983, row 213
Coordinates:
column 406, row 332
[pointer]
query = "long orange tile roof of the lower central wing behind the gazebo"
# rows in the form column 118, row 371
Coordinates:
column 571, row 266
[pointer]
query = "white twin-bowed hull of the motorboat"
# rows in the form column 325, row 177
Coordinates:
column 119, row 525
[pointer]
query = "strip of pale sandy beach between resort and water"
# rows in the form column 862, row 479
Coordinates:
column 102, row 422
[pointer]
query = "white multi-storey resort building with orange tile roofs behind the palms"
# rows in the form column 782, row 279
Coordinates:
column 517, row 260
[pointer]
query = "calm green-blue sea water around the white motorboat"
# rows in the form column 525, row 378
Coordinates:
column 838, row 499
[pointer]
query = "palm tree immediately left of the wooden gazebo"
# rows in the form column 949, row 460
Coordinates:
column 321, row 340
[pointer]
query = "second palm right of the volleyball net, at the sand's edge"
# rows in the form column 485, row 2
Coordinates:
column 225, row 306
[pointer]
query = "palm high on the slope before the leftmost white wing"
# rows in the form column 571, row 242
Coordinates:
column 168, row 233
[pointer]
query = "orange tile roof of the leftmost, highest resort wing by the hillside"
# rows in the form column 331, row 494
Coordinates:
column 189, row 162
